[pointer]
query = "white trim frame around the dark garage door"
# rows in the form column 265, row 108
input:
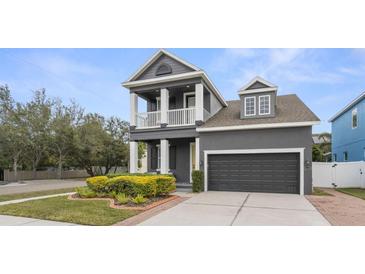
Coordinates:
column 299, row 150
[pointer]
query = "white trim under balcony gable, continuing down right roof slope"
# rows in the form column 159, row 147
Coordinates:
column 176, row 77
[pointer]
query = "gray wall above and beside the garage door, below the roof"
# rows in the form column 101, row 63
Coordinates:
column 261, row 139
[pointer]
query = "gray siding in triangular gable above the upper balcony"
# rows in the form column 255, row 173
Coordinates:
column 177, row 68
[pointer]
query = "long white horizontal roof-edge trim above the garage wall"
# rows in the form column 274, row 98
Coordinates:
column 259, row 126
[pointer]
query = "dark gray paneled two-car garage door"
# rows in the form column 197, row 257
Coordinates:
column 272, row 172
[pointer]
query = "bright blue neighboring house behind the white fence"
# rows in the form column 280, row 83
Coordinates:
column 348, row 132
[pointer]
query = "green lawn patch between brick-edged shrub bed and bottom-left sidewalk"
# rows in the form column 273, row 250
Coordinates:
column 72, row 211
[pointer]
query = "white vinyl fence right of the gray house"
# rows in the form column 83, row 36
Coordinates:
column 343, row 174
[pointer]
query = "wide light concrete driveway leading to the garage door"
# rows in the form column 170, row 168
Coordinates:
column 238, row 208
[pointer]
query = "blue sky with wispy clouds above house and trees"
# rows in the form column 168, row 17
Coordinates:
column 325, row 79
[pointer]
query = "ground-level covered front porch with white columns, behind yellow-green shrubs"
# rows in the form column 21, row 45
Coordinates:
column 177, row 156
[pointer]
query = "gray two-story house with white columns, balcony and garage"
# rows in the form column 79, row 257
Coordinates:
column 260, row 142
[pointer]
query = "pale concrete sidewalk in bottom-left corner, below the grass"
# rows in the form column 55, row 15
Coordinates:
column 6, row 220
